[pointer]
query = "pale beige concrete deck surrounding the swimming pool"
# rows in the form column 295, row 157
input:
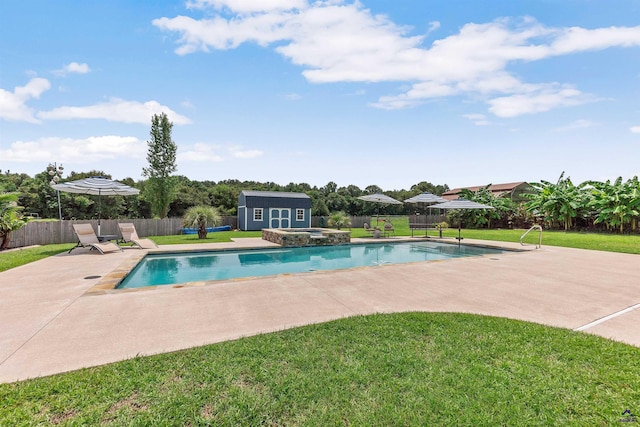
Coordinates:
column 51, row 323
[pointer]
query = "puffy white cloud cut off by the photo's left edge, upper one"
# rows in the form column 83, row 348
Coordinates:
column 13, row 104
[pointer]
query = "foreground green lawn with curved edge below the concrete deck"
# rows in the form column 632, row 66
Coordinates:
column 379, row 370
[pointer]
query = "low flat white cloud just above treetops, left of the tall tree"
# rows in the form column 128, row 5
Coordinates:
column 71, row 150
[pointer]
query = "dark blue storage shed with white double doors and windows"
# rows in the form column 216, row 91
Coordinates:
column 273, row 209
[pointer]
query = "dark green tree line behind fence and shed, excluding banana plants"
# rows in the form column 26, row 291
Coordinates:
column 36, row 196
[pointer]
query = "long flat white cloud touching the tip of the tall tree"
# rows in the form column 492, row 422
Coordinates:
column 116, row 110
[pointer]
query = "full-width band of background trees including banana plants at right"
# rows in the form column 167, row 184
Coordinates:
column 611, row 206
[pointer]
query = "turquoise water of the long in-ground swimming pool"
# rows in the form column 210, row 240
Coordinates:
column 165, row 269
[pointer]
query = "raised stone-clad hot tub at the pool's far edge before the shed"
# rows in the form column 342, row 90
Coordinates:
column 306, row 236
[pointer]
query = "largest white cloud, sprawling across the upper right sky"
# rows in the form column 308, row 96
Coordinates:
column 336, row 41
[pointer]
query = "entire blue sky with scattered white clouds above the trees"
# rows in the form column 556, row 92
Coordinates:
column 376, row 92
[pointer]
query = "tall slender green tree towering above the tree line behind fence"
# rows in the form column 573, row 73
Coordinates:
column 161, row 186
